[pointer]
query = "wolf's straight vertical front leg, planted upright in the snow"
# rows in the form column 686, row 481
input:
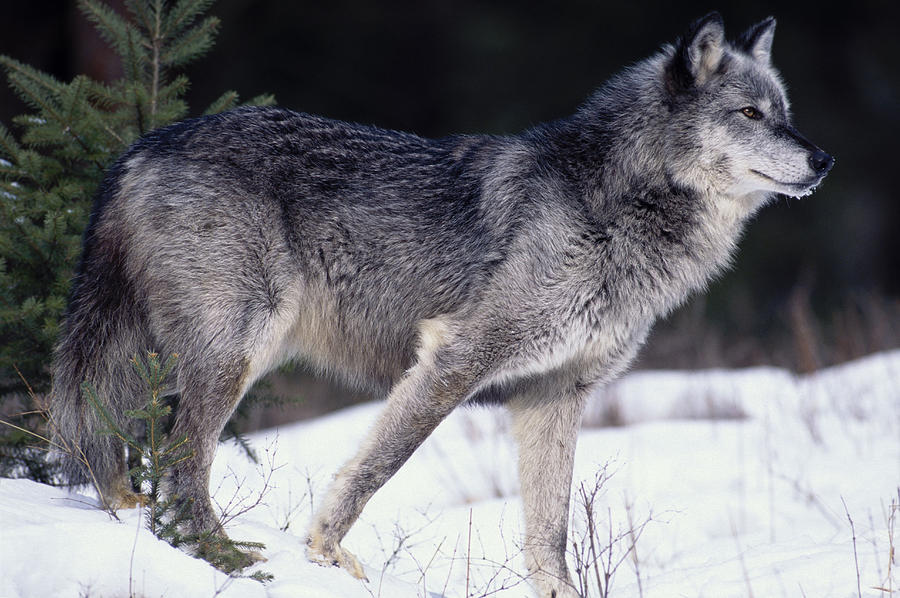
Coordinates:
column 546, row 417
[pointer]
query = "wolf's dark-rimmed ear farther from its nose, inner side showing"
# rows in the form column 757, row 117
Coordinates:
column 699, row 53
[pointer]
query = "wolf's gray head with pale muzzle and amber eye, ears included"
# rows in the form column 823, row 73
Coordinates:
column 729, row 117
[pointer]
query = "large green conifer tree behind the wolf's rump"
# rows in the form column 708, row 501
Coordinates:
column 48, row 174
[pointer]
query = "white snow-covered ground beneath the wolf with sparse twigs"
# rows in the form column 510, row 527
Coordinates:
column 734, row 482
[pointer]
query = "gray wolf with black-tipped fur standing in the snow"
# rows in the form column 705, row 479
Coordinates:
column 523, row 271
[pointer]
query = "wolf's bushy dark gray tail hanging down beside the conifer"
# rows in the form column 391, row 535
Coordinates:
column 105, row 325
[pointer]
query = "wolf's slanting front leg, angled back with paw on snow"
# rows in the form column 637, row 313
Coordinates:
column 414, row 408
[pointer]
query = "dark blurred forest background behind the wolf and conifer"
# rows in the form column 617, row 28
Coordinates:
column 816, row 280
